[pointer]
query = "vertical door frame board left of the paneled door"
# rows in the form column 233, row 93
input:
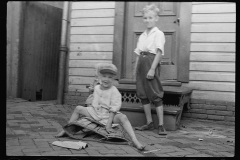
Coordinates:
column 118, row 36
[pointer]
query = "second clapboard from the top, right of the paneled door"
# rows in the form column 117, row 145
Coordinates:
column 213, row 18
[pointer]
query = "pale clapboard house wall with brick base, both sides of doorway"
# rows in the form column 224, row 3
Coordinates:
column 212, row 54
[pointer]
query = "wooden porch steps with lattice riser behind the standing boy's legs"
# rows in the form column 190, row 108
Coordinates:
column 174, row 96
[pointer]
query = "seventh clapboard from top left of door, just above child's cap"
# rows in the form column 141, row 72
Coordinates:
column 91, row 55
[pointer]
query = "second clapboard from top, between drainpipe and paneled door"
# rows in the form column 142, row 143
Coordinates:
column 93, row 13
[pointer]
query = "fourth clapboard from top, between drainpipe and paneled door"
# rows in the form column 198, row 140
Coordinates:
column 103, row 30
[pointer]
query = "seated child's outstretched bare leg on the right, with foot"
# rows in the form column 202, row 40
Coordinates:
column 121, row 118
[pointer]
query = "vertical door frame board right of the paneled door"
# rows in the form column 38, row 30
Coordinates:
column 184, row 42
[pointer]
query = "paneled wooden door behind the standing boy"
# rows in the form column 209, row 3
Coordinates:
column 134, row 26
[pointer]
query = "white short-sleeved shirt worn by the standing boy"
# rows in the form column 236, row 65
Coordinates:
column 151, row 42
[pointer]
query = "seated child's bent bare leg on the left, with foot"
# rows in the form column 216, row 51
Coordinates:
column 75, row 116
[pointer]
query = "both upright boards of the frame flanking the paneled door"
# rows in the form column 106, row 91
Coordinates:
column 183, row 49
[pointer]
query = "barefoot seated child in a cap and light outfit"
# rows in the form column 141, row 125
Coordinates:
column 106, row 104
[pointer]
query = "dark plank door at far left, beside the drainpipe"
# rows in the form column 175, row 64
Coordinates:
column 39, row 55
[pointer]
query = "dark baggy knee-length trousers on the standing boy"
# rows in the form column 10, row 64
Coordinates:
column 148, row 90
